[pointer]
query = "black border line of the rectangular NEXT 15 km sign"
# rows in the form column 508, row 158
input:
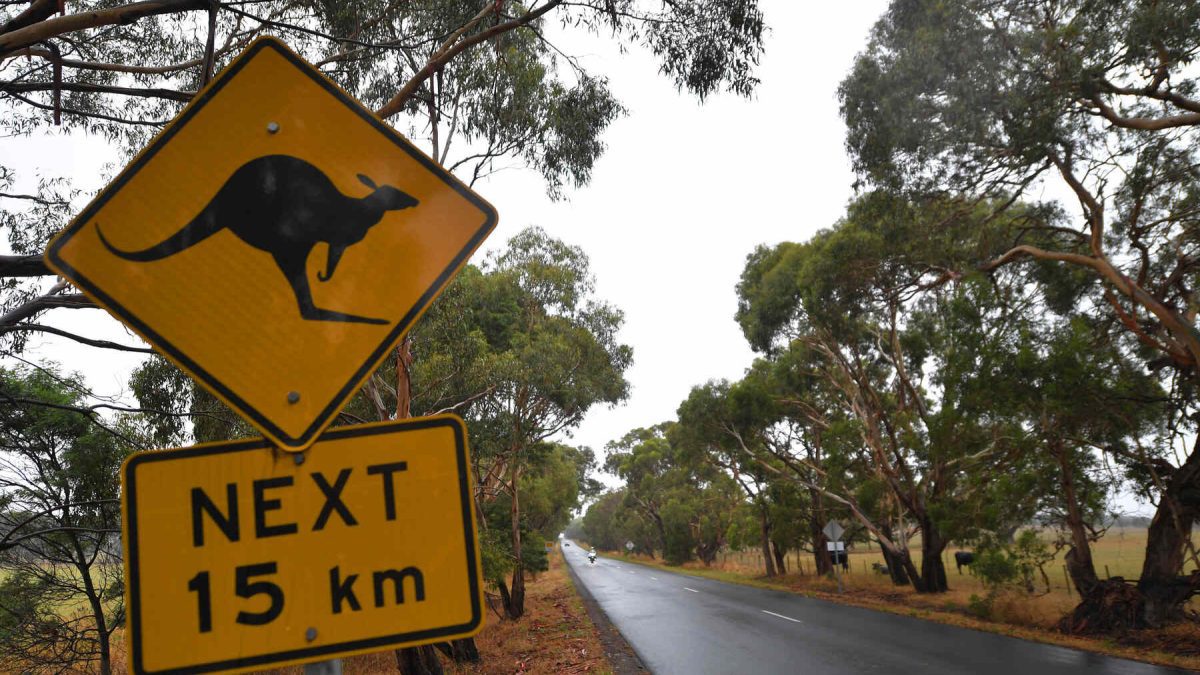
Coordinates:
column 133, row 564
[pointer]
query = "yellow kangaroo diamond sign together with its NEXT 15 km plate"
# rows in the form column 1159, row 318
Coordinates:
column 275, row 242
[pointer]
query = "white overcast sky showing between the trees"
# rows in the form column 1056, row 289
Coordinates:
column 682, row 195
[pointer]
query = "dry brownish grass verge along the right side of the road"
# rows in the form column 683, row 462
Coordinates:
column 1015, row 616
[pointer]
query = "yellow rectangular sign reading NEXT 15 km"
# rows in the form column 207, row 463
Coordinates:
column 239, row 555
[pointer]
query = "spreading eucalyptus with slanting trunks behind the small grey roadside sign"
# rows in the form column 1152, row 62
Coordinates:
column 901, row 355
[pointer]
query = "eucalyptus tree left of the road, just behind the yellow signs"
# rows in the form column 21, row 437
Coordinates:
column 521, row 349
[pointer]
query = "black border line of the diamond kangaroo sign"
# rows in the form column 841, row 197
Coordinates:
column 326, row 417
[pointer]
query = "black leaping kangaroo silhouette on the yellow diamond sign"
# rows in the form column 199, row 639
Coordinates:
column 285, row 206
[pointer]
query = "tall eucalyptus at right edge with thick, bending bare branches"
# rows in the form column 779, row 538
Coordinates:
column 995, row 101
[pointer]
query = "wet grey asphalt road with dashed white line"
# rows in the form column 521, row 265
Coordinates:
column 694, row 626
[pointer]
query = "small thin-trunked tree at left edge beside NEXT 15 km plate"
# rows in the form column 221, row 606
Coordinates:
column 62, row 589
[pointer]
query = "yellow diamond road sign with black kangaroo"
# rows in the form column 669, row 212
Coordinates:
column 275, row 242
